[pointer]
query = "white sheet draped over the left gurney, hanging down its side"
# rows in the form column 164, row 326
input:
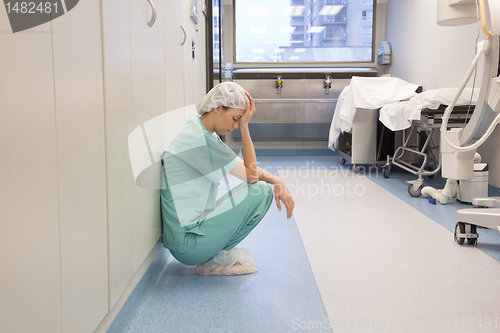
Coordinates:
column 366, row 93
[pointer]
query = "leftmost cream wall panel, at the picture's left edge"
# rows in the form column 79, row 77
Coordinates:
column 30, row 294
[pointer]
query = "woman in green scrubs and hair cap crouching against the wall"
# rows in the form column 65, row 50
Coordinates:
column 197, row 228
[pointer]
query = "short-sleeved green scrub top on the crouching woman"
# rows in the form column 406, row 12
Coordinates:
column 193, row 164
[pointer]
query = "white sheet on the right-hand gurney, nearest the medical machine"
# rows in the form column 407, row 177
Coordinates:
column 398, row 116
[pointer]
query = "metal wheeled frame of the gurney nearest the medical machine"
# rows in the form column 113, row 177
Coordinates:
column 426, row 151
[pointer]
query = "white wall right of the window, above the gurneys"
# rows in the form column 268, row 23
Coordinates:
column 423, row 52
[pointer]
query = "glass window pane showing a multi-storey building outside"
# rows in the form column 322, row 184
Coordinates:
column 328, row 31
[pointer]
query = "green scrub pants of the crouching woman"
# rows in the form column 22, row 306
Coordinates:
column 225, row 227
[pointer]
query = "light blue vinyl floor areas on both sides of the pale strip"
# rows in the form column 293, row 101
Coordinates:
column 172, row 298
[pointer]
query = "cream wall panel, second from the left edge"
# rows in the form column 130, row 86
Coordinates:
column 81, row 166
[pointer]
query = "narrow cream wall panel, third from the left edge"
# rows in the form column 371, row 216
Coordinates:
column 119, row 124
